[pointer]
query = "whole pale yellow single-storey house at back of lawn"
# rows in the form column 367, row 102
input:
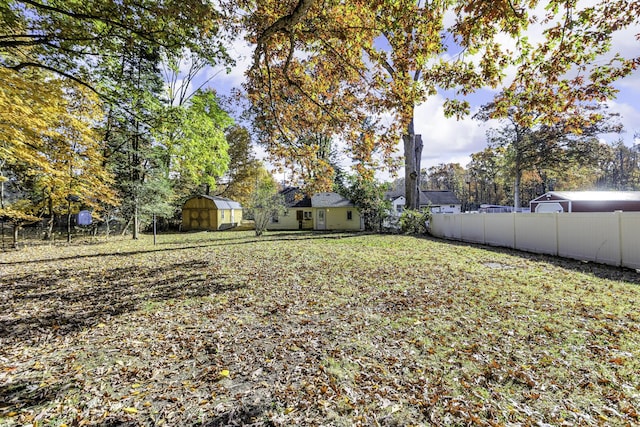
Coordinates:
column 322, row 211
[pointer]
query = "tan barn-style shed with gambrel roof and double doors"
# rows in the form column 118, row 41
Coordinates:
column 210, row 213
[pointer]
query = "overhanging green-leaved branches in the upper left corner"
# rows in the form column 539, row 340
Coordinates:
column 68, row 38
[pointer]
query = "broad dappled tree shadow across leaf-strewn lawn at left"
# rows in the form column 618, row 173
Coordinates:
column 38, row 305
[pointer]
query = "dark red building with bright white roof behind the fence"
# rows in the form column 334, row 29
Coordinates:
column 586, row 201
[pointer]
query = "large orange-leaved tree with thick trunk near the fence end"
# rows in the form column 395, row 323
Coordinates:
column 314, row 61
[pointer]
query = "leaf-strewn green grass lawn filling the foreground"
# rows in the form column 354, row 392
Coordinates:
column 298, row 328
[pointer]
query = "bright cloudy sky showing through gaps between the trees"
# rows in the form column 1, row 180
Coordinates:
column 448, row 140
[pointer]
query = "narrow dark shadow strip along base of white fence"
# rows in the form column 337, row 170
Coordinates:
column 601, row 271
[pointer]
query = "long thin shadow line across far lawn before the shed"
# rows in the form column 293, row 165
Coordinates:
column 213, row 242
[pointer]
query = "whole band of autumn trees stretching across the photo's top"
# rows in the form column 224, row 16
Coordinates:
column 104, row 107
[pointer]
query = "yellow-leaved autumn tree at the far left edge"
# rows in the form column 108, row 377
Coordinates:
column 53, row 152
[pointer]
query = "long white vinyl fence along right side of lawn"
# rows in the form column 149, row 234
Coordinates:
column 605, row 237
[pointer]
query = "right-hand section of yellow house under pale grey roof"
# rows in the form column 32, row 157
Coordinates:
column 334, row 212
